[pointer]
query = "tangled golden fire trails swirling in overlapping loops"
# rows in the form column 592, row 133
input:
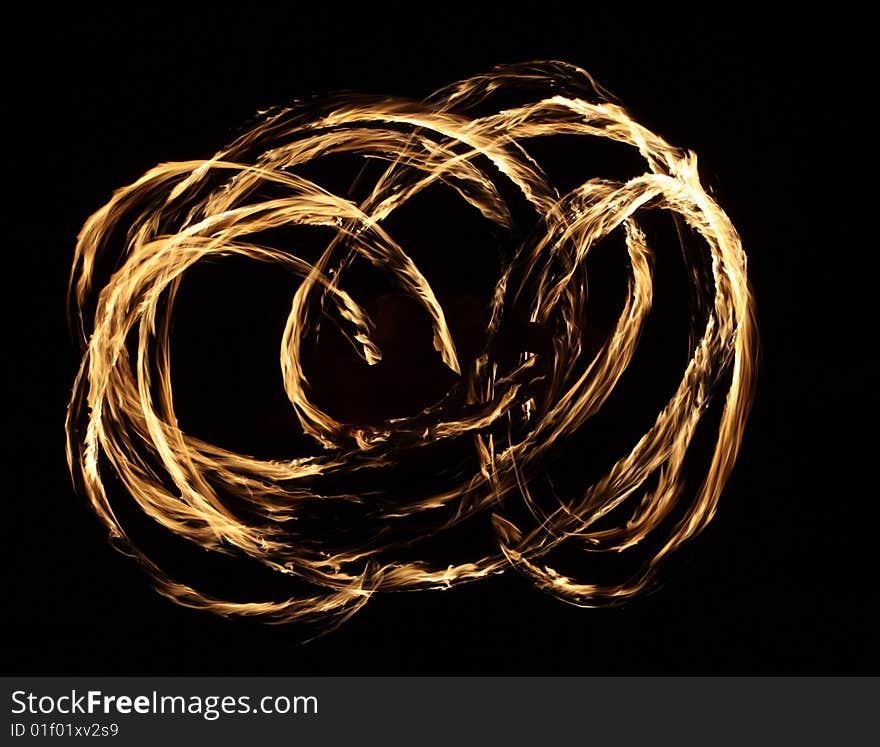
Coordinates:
column 122, row 416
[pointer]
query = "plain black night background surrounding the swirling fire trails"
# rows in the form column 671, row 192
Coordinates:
column 782, row 582
